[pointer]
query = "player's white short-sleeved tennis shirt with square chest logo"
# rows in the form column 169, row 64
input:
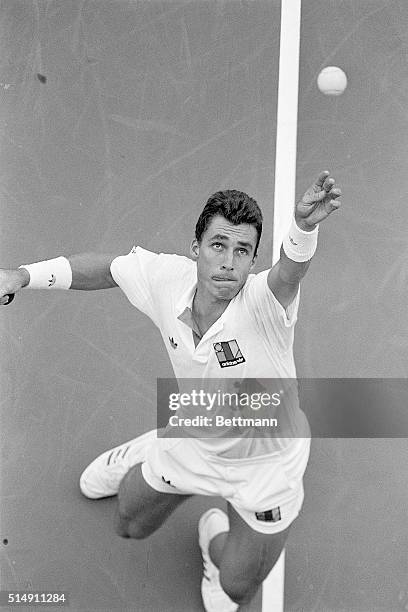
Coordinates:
column 252, row 339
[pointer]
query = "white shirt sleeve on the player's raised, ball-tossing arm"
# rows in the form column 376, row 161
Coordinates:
column 271, row 317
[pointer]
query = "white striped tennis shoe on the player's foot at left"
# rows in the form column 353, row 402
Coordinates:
column 102, row 477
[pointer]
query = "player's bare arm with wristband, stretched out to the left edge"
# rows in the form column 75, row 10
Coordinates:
column 87, row 272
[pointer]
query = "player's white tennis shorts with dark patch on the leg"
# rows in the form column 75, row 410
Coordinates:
column 266, row 491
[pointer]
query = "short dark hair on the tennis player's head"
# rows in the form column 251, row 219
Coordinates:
column 235, row 206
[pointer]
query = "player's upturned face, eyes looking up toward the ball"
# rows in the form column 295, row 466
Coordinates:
column 225, row 257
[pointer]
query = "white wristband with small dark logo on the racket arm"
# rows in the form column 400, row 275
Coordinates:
column 50, row 274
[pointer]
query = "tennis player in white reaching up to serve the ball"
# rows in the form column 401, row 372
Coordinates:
column 218, row 321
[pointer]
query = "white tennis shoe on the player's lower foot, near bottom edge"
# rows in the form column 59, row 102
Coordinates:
column 215, row 599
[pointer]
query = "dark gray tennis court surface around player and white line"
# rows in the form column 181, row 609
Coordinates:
column 147, row 109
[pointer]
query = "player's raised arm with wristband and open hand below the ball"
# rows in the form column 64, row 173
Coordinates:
column 319, row 201
